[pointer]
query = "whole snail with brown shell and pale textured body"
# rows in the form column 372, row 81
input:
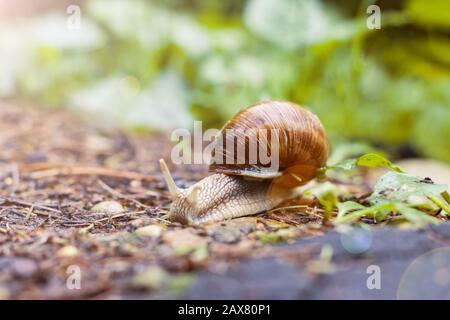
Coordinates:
column 243, row 188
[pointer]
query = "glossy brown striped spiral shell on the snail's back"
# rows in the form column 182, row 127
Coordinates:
column 302, row 142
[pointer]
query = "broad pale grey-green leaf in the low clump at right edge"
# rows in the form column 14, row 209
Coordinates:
column 394, row 186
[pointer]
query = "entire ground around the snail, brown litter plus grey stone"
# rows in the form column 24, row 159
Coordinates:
column 59, row 239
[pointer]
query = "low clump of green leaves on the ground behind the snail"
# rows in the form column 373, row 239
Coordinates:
column 395, row 195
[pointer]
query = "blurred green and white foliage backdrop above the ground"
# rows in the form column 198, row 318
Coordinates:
column 153, row 65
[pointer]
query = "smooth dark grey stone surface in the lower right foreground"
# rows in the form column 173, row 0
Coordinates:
column 412, row 264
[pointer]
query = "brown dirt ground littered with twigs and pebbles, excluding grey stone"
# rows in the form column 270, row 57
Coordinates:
column 55, row 169
